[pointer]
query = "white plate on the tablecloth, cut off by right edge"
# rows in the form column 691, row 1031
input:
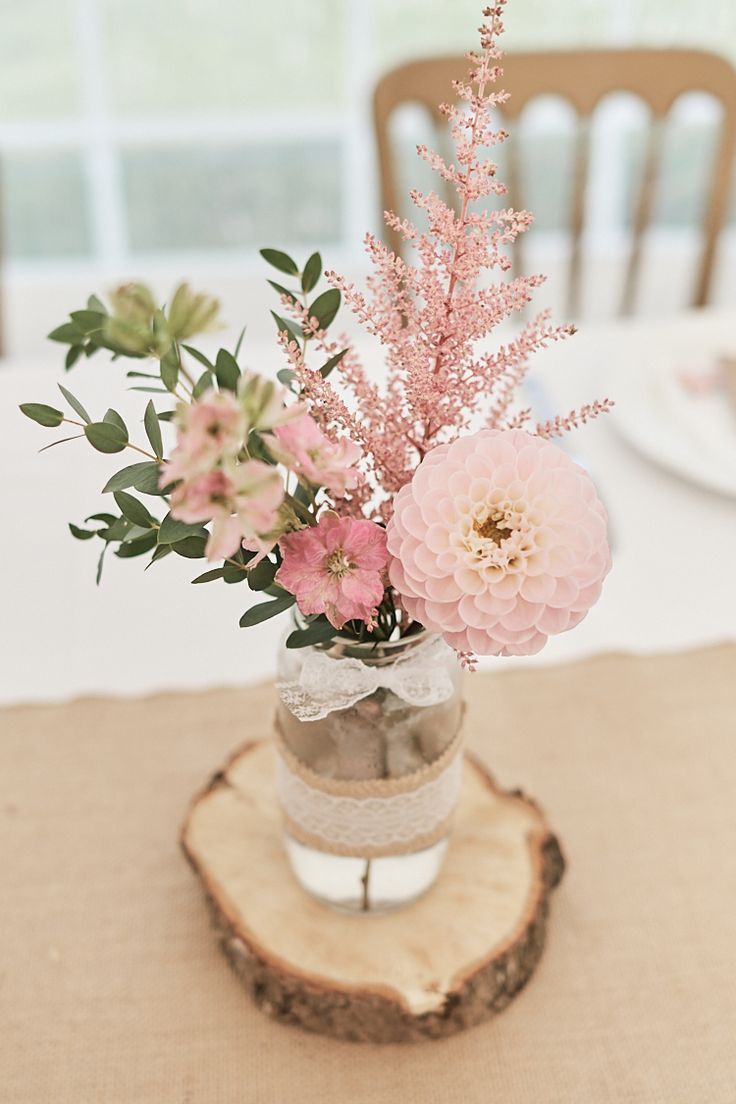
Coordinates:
column 690, row 433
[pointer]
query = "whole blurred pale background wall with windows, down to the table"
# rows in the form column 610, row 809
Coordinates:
column 157, row 141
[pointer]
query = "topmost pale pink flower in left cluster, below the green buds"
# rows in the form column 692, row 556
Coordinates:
column 208, row 430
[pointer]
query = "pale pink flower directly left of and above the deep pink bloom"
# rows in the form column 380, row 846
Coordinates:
column 242, row 501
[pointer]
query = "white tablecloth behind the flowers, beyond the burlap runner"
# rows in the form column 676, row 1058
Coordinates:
column 675, row 545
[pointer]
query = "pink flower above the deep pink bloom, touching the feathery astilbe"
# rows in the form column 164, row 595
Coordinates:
column 303, row 447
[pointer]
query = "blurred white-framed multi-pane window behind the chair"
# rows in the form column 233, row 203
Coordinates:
column 132, row 132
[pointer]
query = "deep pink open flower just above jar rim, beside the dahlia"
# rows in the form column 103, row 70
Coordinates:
column 336, row 568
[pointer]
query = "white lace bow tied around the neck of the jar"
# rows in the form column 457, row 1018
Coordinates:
column 326, row 684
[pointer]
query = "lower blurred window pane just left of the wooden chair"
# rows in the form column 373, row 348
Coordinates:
column 205, row 198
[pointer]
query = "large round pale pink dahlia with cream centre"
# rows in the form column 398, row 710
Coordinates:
column 498, row 543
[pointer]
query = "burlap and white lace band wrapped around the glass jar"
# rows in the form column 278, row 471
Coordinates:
column 370, row 826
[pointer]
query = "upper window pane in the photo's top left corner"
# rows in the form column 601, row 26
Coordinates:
column 38, row 60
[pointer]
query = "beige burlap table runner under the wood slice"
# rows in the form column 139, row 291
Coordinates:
column 113, row 989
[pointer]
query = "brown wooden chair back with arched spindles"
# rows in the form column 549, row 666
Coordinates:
column 583, row 79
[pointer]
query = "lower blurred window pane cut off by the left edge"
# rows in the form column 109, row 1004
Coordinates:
column 46, row 206
